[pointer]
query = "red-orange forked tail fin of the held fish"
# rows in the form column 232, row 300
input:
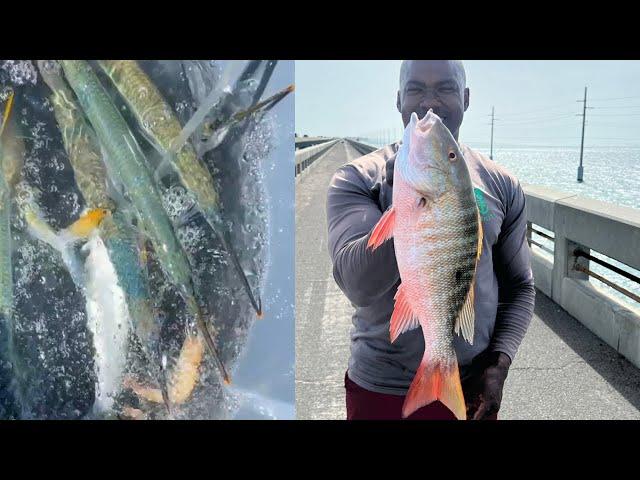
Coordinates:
column 436, row 382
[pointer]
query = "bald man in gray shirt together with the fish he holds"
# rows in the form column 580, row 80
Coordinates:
column 428, row 242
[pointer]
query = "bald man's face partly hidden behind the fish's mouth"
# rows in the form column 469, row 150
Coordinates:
column 433, row 84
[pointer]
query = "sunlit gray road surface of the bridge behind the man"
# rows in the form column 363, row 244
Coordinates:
column 562, row 371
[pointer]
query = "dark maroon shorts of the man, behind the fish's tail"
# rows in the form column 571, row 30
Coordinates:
column 363, row 404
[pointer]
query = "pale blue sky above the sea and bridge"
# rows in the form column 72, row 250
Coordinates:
column 535, row 101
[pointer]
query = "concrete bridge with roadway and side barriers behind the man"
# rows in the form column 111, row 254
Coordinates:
column 580, row 358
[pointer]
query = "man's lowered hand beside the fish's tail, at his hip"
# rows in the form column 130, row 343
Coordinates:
column 484, row 387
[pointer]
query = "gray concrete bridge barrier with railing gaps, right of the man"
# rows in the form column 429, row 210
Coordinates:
column 585, row 223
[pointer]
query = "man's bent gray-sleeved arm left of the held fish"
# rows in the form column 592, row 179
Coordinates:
column 352, row 212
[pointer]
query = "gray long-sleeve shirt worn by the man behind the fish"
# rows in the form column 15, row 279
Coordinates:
column 504, row 296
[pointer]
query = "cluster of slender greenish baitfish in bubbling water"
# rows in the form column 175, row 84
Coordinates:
column 127, row 145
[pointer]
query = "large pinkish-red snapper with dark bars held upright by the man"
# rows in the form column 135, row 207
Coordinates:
column 437, row 232
